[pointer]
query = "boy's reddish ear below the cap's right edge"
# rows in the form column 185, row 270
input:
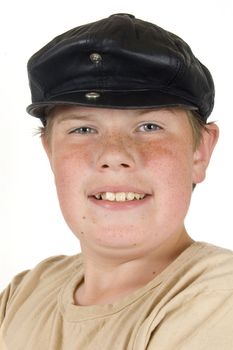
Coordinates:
column 204, row 151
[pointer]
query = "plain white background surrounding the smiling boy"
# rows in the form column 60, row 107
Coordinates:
column 31, row 225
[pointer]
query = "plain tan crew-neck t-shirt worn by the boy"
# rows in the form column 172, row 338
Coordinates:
column 188, row 306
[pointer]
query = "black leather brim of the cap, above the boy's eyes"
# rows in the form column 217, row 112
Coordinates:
column 142, row 99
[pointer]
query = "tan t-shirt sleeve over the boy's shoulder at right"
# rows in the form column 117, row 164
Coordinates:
column 198, row 307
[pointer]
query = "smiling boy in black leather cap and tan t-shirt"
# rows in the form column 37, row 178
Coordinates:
column 124, row 106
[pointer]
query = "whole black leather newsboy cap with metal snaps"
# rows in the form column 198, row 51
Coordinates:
column 119, row 62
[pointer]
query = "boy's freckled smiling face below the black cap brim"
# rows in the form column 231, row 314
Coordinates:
column 147, row 152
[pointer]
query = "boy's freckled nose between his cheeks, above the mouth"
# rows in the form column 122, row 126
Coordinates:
column 116, row 154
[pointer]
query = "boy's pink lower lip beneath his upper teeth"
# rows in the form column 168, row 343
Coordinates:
column 114, row 205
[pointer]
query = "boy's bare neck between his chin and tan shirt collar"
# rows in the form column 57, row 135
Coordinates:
column 106, row 282
